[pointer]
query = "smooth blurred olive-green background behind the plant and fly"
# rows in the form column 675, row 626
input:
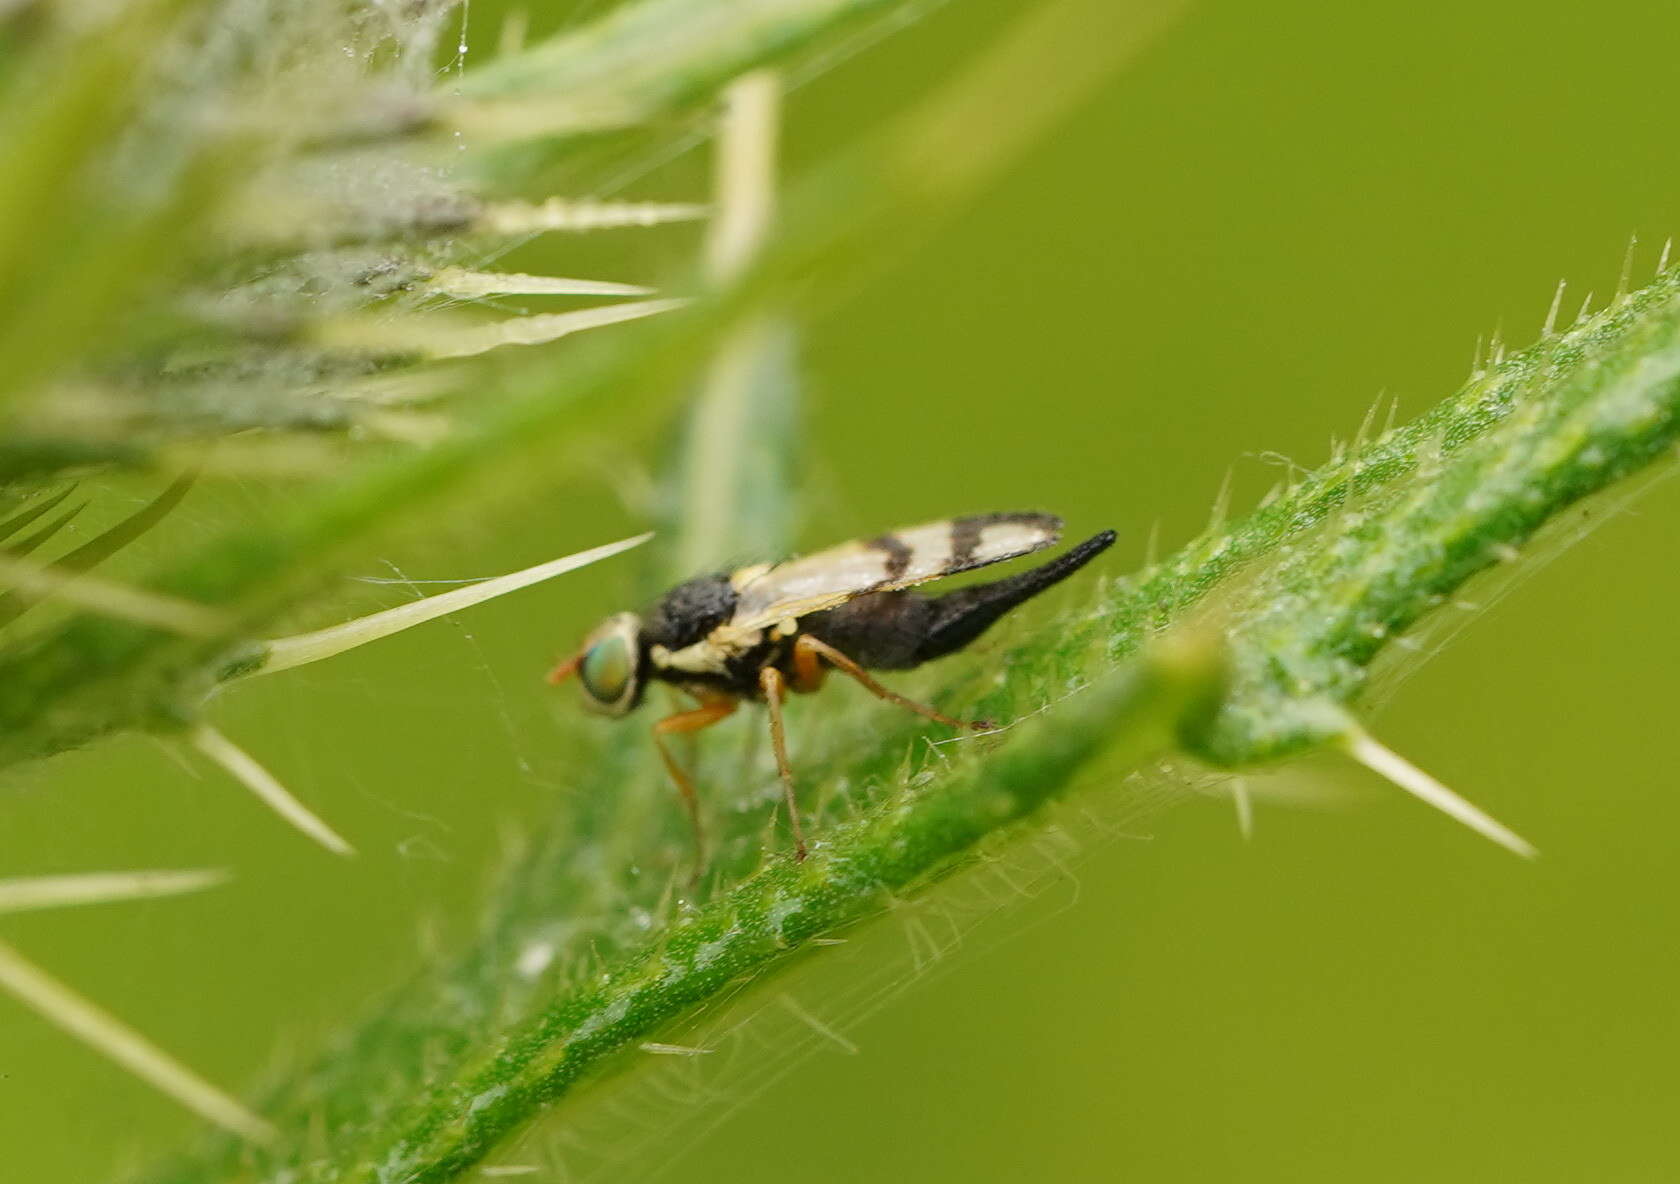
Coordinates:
column 1278, row 216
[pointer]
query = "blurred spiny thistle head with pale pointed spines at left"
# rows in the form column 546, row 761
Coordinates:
column 238, row 224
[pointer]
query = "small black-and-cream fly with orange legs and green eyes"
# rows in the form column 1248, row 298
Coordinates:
column 762, row 632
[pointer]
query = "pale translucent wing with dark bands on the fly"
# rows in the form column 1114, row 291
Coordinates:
column 896, row 560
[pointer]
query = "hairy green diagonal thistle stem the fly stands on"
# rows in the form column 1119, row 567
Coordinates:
column 1284, row 614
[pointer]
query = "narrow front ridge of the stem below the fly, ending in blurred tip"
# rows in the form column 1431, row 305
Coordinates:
column 853, row 872
